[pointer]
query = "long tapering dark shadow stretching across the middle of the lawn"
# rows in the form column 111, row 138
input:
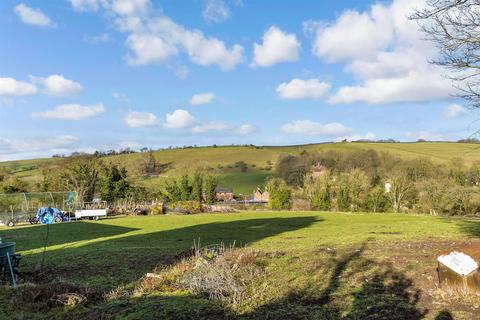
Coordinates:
column 109, row 263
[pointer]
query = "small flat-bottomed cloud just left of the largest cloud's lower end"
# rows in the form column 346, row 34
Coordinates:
column 303, row 89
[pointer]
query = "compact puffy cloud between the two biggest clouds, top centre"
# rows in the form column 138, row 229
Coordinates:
column 277, row 46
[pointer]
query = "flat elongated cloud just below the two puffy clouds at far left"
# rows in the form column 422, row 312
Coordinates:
column 72, row 112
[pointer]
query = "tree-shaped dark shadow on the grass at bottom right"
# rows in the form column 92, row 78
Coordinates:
column 385, row 294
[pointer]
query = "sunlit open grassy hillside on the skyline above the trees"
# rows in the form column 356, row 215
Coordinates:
column 260, row 160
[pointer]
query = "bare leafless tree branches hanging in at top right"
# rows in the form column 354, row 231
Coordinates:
column 454, row 27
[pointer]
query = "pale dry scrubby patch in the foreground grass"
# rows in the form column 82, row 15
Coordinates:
column 233, row 276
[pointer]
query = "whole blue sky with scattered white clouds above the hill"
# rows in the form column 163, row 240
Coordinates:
column 100, row 74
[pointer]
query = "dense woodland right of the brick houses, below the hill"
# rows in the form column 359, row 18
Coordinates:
column 379, row 182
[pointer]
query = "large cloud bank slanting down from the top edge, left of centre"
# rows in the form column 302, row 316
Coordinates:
column 154, row 38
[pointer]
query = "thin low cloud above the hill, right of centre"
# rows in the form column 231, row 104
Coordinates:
column 308, row 127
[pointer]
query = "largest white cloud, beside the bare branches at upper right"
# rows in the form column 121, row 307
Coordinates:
column 384, row 51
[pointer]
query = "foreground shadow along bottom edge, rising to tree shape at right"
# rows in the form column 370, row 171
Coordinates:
column 384, row 294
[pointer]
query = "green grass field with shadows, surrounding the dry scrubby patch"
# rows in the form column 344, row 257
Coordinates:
column 317, row 266
